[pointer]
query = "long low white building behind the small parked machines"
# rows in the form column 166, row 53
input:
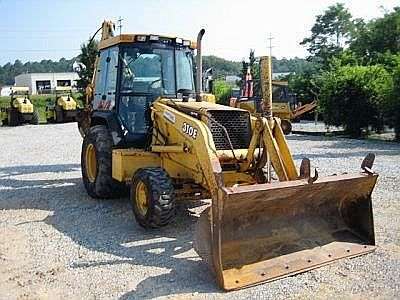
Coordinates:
column 41, row 83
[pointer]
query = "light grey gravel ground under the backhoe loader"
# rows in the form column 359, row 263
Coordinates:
column 57, row 242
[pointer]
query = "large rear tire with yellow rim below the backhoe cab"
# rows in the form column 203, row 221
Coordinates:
column 96, row 164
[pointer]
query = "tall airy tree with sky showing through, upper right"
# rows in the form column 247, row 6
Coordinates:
column 330, row 34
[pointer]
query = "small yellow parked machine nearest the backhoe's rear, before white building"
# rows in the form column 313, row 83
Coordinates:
column 64, row 108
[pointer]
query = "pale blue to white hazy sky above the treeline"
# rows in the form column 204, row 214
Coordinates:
column 32, row 30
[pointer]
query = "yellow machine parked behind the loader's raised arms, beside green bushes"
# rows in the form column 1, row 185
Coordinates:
column 284, row 103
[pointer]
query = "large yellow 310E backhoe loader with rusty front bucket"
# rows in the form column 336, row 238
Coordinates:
column 147, row 125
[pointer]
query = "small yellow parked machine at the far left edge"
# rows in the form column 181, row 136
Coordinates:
column 20, row 109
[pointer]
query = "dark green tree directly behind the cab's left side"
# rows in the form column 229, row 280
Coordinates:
column 89, row 52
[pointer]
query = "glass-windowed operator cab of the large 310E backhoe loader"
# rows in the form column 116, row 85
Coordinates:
column 135, row 70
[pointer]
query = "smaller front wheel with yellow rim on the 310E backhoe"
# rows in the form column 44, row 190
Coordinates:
column 155, row 187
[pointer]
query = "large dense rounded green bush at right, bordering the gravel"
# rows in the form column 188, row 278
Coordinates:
column 355, row 97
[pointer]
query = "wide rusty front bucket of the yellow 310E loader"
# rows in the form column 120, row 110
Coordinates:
column 265, row 232
